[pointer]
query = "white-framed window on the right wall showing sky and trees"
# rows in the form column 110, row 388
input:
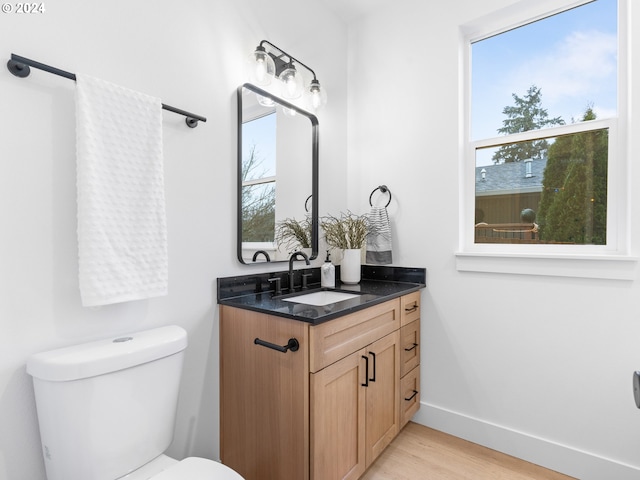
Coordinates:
column 545, row 105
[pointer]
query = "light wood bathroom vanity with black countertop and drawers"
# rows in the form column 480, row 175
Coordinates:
column 317, row 391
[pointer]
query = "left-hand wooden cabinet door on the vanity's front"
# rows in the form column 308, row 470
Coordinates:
column 338, row 418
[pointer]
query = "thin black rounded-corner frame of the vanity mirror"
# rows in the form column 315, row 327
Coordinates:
column 314, row 169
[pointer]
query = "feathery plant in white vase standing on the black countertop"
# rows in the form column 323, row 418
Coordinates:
column 347, row 233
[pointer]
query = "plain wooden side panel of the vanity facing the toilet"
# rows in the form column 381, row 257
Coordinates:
column 264, row 396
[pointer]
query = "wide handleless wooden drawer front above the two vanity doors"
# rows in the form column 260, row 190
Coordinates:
column 335, row 339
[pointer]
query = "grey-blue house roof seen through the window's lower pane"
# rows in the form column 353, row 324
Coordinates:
column 506, row 178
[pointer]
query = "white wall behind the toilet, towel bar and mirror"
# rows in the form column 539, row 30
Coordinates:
column 191, row 54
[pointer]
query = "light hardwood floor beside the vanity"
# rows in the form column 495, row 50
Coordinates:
column 421, row 453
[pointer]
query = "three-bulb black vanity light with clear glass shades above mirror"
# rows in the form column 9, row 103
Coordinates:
column 276, row 63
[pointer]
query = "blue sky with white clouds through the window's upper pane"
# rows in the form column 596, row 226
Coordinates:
column 572, row 59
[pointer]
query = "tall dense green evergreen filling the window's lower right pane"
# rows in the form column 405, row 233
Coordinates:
column 573, row 207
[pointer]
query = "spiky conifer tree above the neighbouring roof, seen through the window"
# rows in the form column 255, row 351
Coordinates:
column 526, row 114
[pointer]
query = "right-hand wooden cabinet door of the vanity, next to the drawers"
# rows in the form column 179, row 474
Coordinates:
column 382, row 424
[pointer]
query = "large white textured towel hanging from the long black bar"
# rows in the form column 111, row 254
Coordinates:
column 122, row 239
